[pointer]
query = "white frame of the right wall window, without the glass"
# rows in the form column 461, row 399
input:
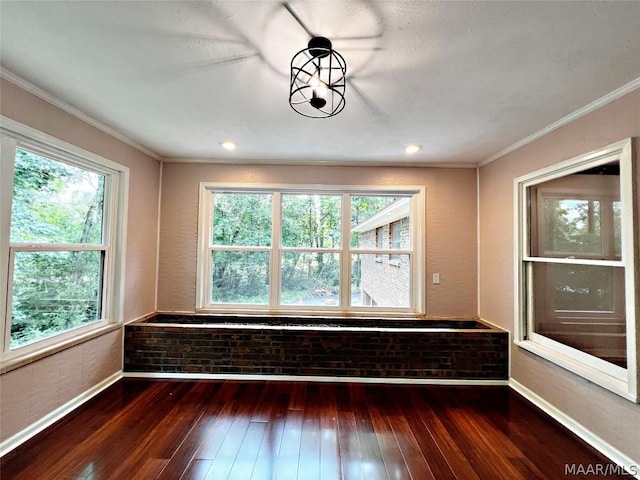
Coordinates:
column 623, row 381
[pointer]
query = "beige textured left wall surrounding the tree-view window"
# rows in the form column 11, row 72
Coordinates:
column 32, row 391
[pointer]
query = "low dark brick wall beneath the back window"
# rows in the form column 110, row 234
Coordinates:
column 193, row 348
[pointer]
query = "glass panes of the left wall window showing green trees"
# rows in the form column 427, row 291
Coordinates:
column 57, row 251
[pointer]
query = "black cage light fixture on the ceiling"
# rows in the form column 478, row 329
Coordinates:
column 318, row 78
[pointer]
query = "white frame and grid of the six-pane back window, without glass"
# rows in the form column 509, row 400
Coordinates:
column 418, row 284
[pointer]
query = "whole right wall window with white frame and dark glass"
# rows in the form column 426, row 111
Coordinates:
column 575, row 262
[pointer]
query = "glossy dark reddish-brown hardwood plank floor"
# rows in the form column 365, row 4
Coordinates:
column 146, row 429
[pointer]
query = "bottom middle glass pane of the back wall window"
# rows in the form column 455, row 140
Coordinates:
column 310, row 278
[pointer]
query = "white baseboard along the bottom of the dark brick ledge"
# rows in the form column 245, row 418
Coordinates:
column 313, row 378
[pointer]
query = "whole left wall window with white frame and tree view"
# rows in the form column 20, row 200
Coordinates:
column 62, row 229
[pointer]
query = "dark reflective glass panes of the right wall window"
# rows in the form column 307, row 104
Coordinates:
column 578, row 302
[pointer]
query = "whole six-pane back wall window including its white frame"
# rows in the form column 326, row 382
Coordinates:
column 296, row 248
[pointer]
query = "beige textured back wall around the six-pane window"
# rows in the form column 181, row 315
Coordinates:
column 450, row 224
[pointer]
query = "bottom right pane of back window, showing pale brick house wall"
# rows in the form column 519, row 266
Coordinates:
column 379, row 281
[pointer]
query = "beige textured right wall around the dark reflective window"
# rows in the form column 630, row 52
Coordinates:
column 607, row 415
